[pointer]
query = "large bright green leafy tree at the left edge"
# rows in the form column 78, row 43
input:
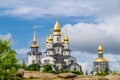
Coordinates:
column 8, row 60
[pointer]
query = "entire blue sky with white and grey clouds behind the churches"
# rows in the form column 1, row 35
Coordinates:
column 87, row 22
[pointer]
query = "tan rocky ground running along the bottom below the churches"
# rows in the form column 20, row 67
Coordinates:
column 36, row 75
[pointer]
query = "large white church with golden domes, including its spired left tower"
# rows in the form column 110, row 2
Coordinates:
column 57, row 53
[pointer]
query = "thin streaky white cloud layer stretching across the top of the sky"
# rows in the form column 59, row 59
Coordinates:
column 39, row 8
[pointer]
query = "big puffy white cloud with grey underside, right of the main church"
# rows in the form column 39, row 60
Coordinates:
column 86, row 36
